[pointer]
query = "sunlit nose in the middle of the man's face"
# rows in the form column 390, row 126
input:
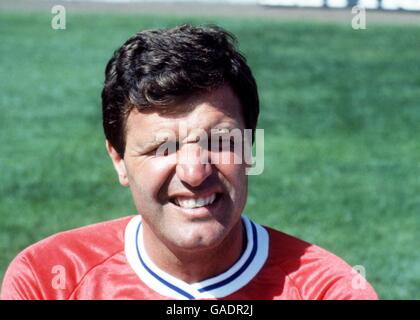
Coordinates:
column 193, row 165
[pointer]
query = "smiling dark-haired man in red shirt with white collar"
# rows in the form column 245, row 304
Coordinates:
column 166, row 93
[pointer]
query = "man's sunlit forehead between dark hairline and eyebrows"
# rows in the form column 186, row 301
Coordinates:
column 219, row 107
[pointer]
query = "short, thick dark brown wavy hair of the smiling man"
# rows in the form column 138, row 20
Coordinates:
column 159, row 67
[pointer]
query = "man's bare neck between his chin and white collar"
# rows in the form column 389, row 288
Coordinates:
column 196, row 265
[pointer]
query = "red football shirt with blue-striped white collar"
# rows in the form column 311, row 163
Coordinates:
column 108, row 261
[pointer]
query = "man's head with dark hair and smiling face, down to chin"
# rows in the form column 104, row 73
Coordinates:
column 158, row 81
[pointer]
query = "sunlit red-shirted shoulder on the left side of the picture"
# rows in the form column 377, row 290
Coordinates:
column 35, row 272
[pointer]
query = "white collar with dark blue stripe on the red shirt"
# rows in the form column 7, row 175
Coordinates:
column 222, row 285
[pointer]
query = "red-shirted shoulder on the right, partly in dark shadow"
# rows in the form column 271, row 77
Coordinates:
column 315, row 272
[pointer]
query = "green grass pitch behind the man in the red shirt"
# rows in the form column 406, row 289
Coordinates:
column 340, row 109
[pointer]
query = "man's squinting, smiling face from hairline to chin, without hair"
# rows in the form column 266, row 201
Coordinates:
column 184, row 202
